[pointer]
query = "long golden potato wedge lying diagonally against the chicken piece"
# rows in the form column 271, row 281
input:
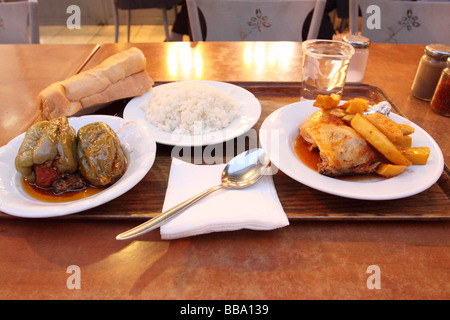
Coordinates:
column 378, row 140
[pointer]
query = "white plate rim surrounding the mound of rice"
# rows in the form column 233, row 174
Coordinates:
column 250, row 113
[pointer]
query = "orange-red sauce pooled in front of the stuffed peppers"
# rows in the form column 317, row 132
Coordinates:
column 47, row 195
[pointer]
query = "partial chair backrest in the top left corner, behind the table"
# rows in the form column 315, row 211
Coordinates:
column 19, row 22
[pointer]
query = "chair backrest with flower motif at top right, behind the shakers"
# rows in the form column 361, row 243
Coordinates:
column 414, row 22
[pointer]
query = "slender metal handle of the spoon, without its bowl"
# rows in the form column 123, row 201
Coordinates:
column 164, row 217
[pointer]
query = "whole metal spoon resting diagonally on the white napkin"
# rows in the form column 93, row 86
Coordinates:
column 242, row 171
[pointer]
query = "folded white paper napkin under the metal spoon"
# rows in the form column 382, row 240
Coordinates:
column 256, row 207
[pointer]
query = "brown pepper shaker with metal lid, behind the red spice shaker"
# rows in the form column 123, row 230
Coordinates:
column 429, row 70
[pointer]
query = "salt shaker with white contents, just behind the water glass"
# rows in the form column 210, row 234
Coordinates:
column 358, row 62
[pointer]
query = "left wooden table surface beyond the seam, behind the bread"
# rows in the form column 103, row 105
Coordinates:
column 26, row 70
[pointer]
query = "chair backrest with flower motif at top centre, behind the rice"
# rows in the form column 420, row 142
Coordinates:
column 254, row 20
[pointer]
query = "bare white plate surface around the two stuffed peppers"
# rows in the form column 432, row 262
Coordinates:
column 137, row 142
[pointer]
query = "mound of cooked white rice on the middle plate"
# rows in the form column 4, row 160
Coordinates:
column 190, row 107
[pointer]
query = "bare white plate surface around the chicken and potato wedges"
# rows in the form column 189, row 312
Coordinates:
column 279, row 131
